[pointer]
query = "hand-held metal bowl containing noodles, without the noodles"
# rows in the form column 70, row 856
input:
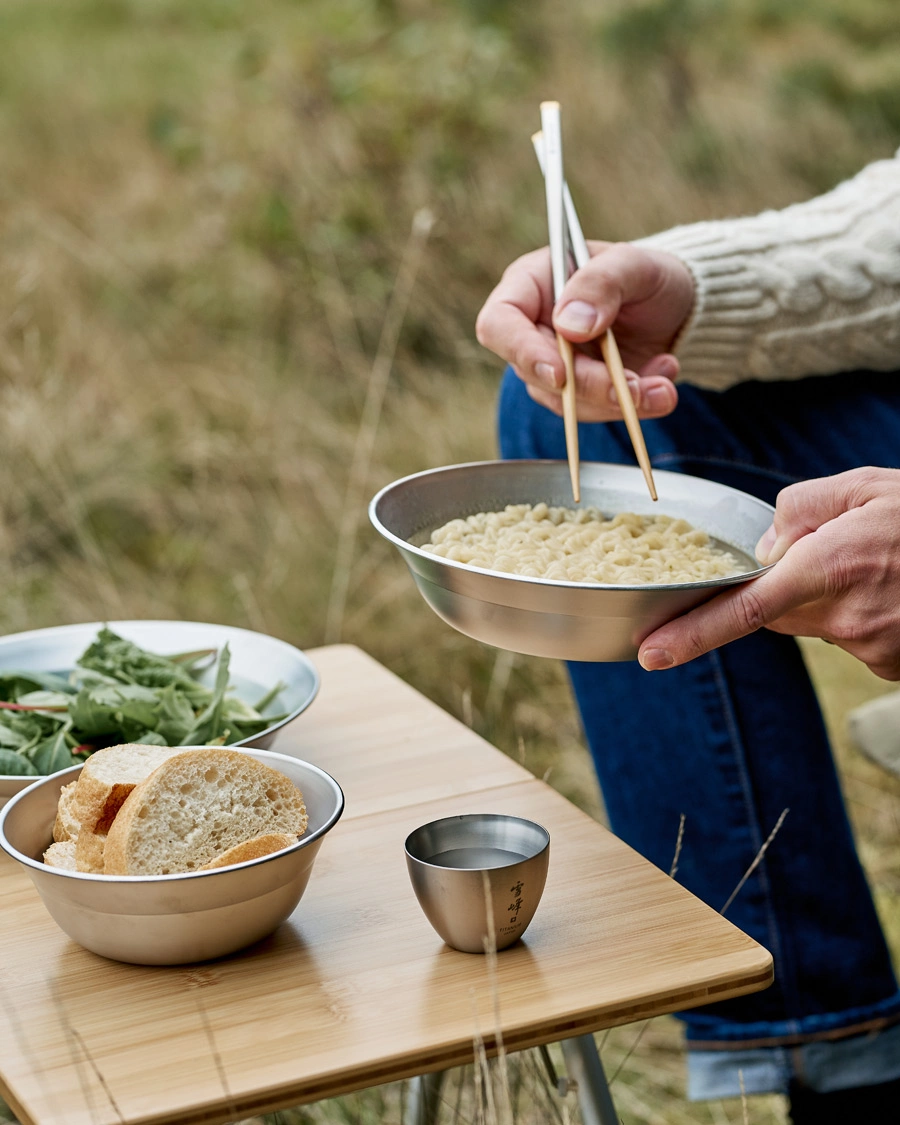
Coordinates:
column 538, row 617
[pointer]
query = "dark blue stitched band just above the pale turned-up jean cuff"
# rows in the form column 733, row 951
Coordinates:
column 710, row 1033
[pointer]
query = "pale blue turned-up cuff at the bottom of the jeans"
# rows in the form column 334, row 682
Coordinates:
column 862, row 1060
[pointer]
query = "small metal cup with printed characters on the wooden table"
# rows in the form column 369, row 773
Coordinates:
column 455, row 898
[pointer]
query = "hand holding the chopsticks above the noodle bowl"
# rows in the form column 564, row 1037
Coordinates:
column 645, row 295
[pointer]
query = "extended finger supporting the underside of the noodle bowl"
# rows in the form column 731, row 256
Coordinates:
column 739, row 613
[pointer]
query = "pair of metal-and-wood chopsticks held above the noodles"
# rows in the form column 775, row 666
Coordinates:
column 566, row 236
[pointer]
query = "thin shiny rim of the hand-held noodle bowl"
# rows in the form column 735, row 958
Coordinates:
column 440, row 560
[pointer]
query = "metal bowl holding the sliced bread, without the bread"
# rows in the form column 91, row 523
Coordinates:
column 172, row 920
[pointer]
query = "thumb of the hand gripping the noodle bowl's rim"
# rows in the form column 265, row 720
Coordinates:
column 805, row 508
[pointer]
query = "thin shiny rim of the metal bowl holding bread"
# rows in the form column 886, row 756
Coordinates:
column 177, row 877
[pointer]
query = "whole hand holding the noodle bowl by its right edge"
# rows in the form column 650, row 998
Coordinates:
column 838, row 545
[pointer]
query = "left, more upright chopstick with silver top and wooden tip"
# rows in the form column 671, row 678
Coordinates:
column 556, row 222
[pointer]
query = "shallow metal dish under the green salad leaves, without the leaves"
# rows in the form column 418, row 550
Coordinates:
column 257, row 664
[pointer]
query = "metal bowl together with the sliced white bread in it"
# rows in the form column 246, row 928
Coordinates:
column 168, row 856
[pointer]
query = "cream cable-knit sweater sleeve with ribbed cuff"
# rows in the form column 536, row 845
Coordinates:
column 812, row 290
